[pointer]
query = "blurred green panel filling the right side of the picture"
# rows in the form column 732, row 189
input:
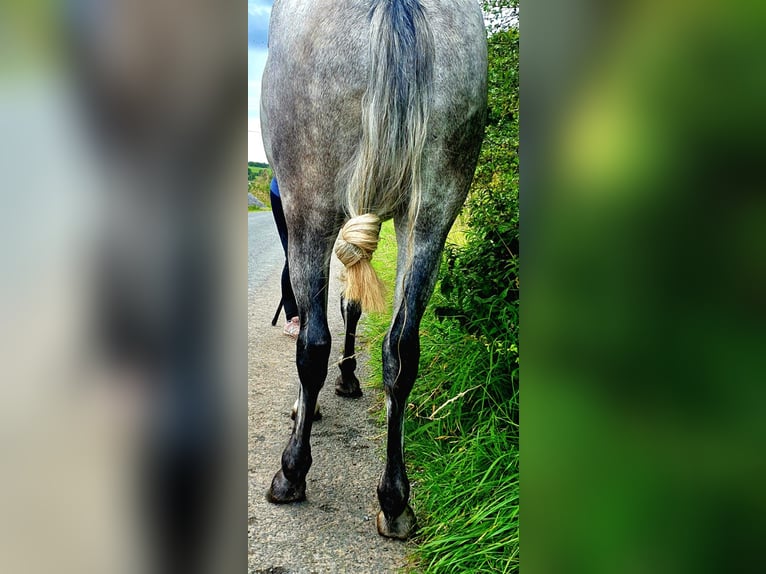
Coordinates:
column 643, row 286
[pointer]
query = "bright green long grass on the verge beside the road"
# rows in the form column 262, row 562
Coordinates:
column 461, row 442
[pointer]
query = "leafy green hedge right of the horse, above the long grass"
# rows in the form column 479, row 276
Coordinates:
column 479, row 279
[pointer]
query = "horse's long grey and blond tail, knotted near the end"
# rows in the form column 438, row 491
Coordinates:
column 385, row 175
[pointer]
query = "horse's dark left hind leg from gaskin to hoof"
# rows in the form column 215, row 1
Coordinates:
column 312, row 355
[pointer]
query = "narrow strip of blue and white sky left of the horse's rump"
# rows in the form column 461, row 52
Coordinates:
column 258, row 12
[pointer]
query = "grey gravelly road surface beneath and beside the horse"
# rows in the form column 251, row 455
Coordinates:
column 333, row 531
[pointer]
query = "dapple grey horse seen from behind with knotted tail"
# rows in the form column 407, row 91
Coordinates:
column 370, row 110
